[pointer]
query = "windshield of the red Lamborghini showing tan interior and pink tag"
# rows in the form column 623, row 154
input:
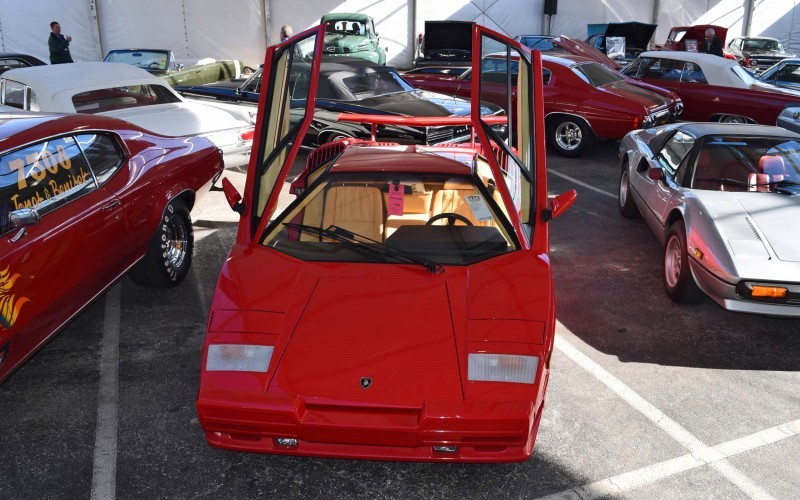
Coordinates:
column 393, row 217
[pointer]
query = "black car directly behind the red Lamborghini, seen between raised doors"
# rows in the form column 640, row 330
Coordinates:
column 362, row 87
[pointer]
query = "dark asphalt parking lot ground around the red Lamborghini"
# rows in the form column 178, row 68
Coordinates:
column 647, row 399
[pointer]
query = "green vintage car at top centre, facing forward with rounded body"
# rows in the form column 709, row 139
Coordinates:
column 352, row 35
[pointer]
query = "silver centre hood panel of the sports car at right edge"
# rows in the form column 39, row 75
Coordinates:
column 777, row 216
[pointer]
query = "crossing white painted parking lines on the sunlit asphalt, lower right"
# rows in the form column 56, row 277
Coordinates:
column 701, row 454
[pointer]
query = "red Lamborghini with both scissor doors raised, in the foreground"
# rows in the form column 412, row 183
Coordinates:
column 401, row 307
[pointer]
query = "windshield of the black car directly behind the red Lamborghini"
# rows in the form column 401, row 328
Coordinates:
column 360, row 83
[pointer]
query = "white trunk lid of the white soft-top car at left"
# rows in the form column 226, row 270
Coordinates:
column 178, row 119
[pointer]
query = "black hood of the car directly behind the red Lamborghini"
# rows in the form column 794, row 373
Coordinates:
column 423, row 103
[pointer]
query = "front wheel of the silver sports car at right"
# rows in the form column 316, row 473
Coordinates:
column 677, row 277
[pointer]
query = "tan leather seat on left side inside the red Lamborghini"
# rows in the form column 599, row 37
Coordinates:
column 355, row 208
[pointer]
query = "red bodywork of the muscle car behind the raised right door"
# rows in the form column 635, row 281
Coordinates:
column 611, row 111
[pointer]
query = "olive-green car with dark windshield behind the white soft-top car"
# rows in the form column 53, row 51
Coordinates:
column 160, row 62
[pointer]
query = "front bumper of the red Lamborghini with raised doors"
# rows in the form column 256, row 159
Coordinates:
column 481, row 431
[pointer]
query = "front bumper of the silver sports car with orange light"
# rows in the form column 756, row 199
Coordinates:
column 724, row 294
